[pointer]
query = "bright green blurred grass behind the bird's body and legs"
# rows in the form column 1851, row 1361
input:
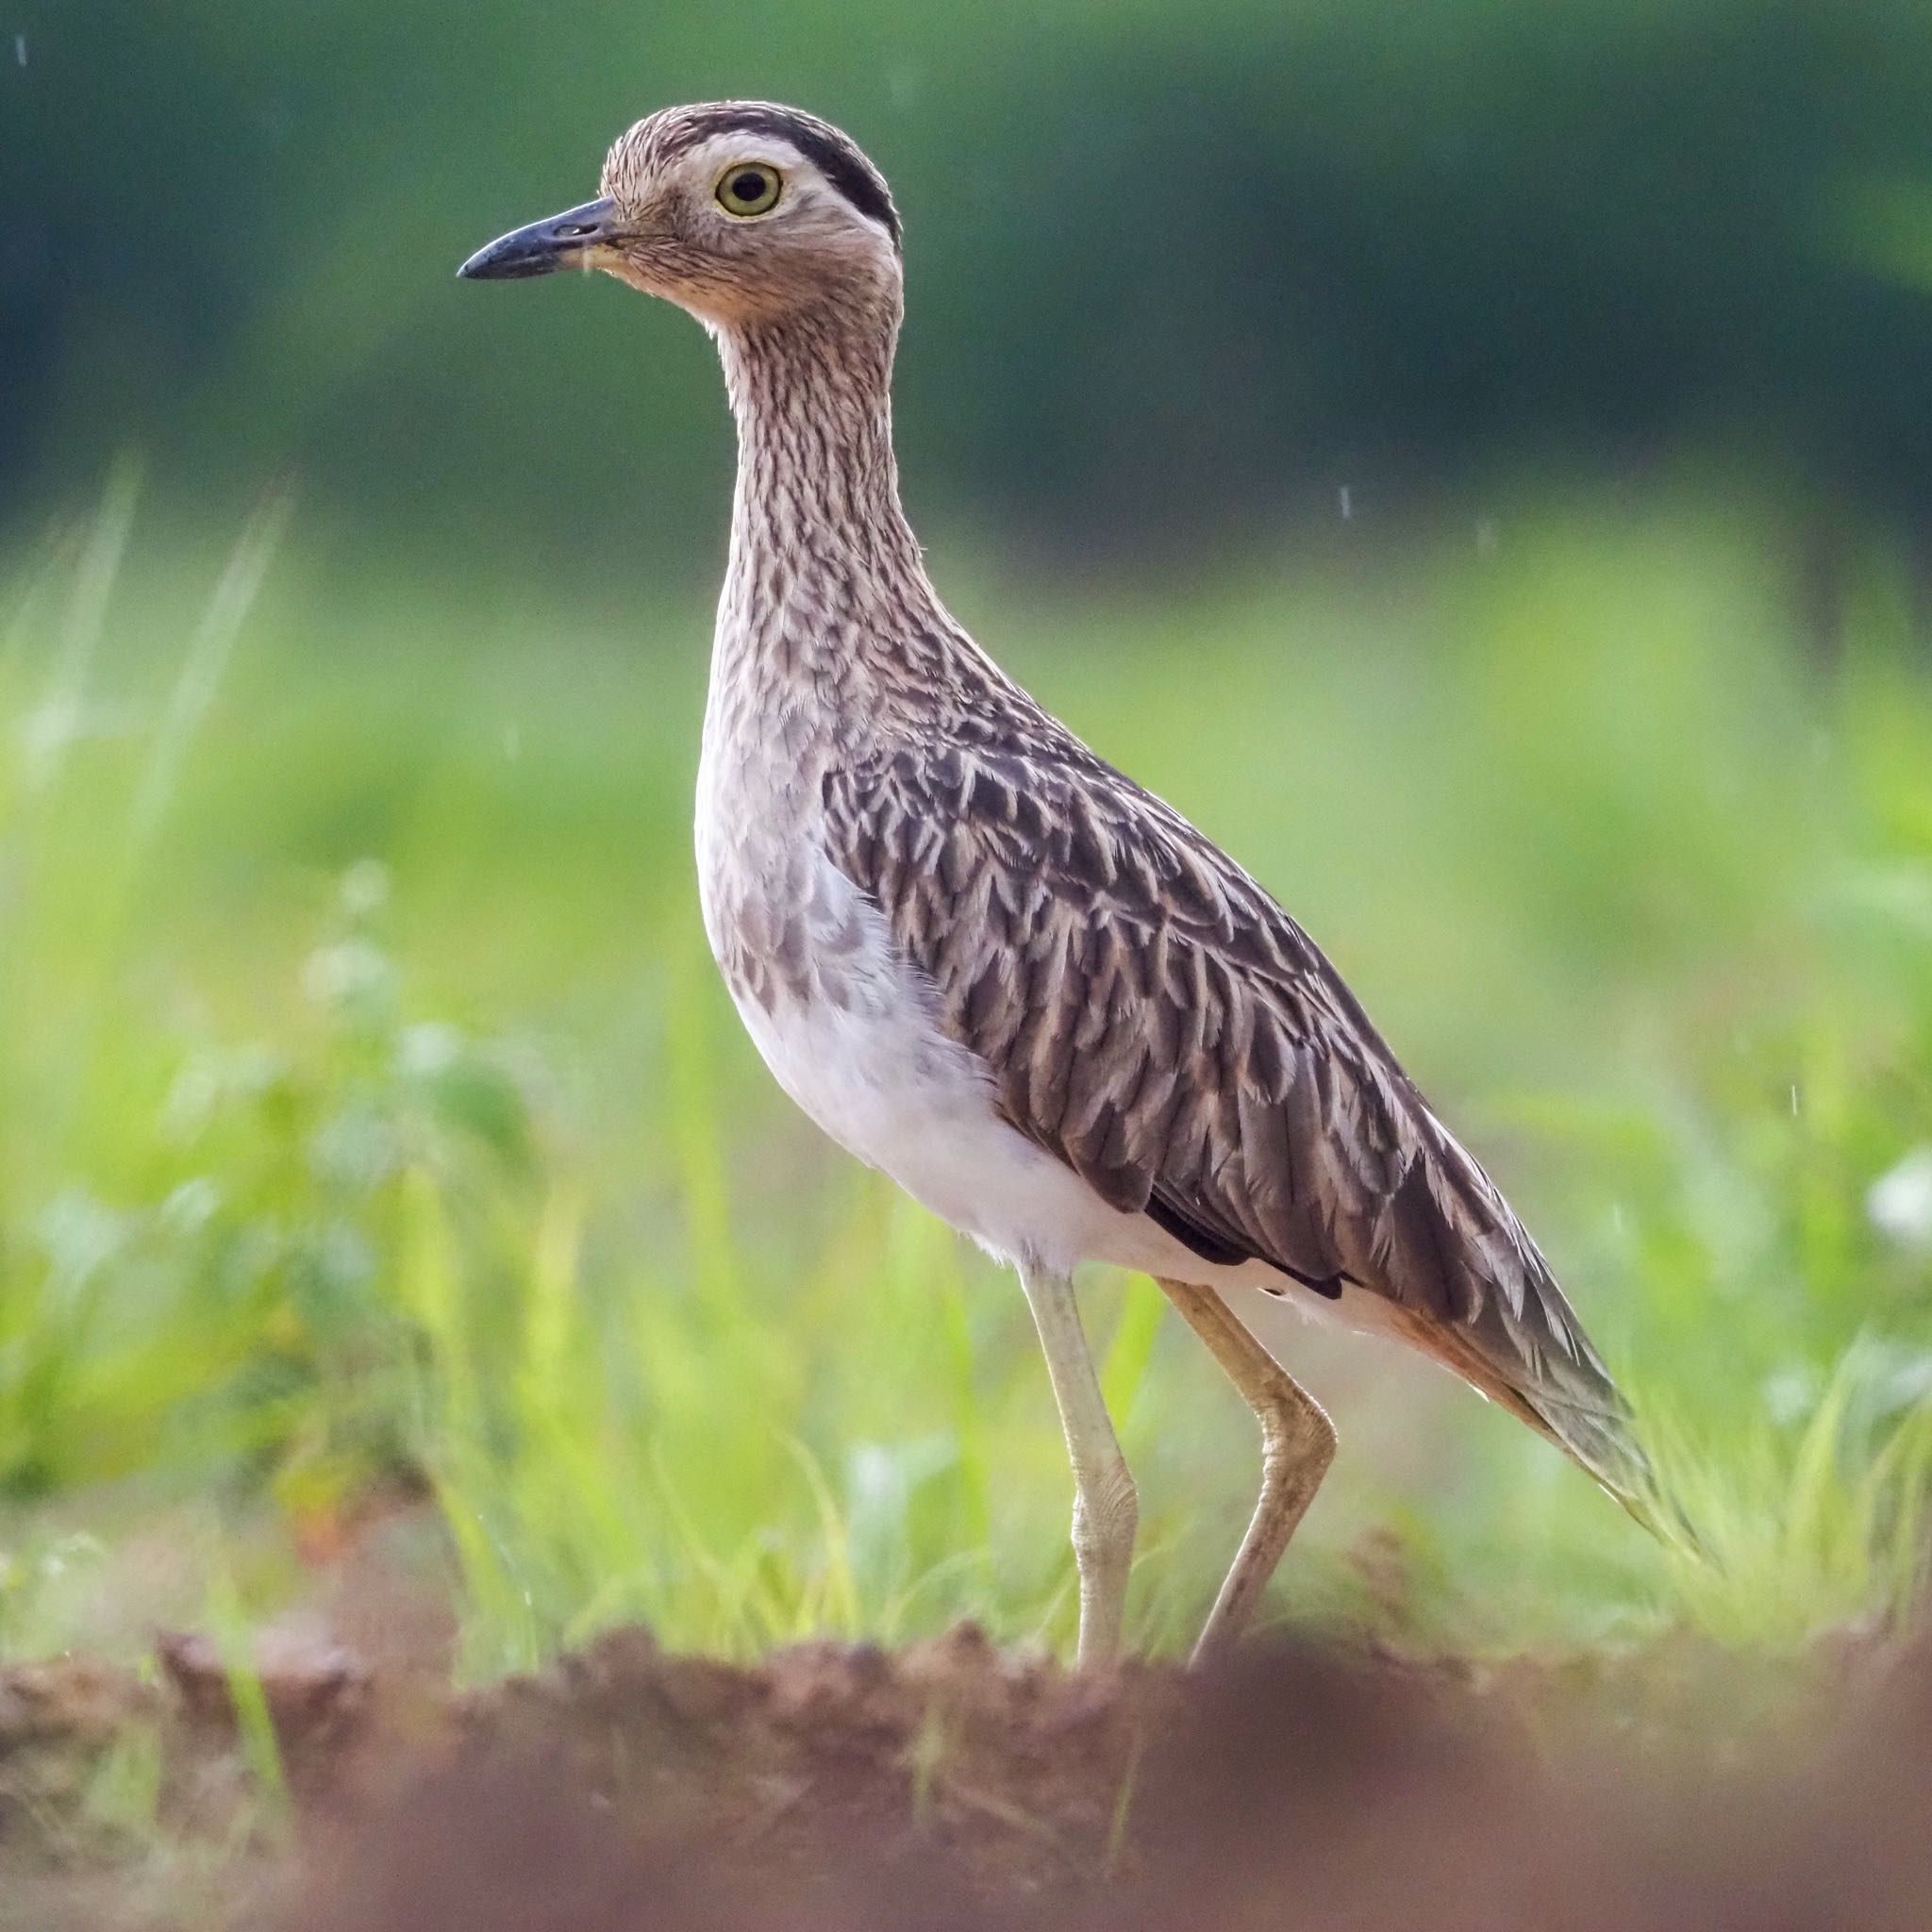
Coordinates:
column 370, row 1110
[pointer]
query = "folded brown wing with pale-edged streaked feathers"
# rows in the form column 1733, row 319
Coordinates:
column 1156, row 1021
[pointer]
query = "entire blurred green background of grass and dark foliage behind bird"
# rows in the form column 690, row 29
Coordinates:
column 1471, row 459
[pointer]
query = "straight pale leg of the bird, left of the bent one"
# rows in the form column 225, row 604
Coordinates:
column 1106, row 1506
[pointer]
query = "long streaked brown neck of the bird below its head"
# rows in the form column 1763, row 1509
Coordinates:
column 822, row 557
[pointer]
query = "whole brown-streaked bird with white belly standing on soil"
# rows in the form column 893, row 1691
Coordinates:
column 986, row 961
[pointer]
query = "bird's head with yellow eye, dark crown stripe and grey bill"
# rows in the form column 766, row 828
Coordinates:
column 739, row 212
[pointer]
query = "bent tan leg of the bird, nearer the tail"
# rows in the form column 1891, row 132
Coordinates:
column 1297, row 1448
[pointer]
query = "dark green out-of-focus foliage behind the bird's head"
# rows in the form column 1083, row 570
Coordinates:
column 1172, row 268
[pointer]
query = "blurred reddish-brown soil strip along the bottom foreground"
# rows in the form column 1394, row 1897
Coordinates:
column 953, row 1786
